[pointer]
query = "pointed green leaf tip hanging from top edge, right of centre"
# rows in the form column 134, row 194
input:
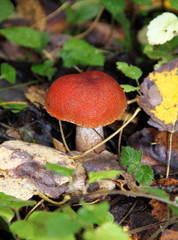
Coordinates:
column 114, row 6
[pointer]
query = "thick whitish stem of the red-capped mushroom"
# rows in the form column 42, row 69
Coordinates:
column 87, row 138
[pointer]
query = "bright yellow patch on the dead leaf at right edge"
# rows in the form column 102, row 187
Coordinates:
column 167, row 83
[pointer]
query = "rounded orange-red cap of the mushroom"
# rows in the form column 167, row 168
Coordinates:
column 88, row 99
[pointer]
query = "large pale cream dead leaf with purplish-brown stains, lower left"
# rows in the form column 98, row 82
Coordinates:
column 24, row 163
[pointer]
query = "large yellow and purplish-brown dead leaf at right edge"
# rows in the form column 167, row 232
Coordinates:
column 160, row 97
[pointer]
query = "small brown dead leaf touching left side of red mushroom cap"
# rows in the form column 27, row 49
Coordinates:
column 36, row 94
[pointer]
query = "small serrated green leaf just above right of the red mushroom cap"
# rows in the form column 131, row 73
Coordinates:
column 130, row 71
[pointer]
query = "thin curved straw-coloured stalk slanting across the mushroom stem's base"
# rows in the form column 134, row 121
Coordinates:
column 108, row 138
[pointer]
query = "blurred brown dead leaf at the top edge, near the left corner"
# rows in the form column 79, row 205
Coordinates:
column 33, row 11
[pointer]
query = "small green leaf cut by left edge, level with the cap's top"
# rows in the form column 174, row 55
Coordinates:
column 8, row 72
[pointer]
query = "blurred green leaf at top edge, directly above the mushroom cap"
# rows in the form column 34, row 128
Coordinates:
column 82, row 13
